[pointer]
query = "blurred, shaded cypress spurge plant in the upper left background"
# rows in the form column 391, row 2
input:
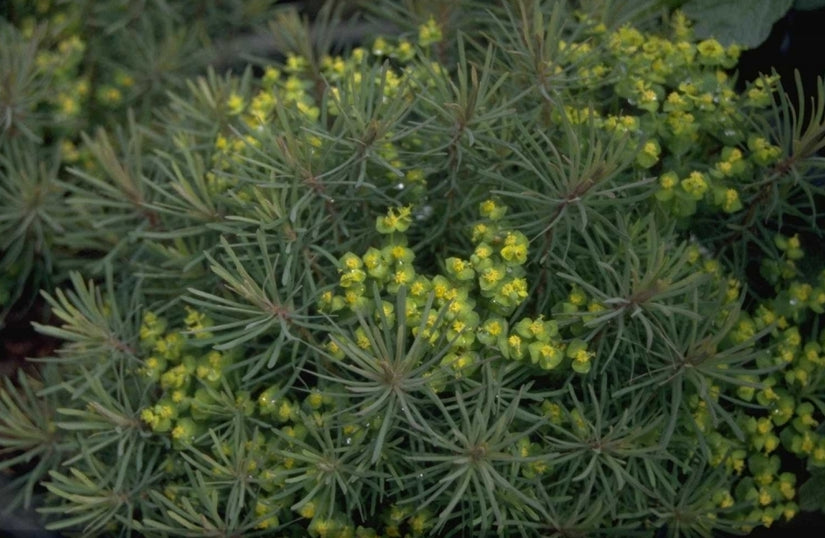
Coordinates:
column 70, row 67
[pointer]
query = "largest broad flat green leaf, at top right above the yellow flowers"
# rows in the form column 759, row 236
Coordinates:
column 744, row 22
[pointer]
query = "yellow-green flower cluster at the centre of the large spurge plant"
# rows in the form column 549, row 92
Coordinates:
column 476, row 294
